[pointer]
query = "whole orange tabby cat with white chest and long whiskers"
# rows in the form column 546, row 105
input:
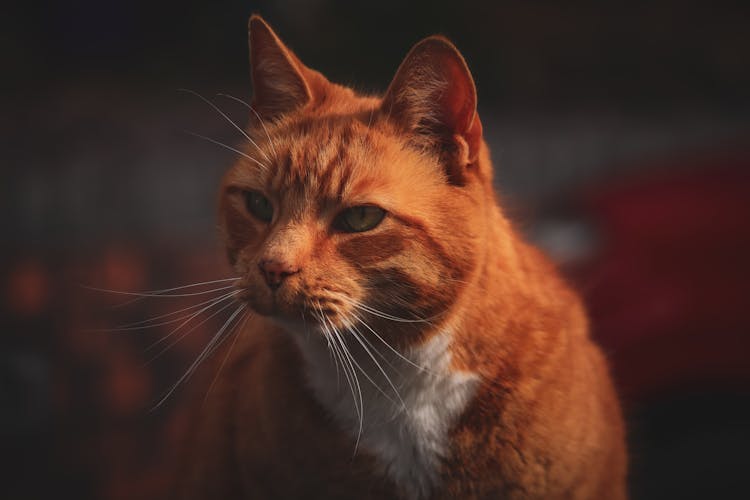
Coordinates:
column 405, row 342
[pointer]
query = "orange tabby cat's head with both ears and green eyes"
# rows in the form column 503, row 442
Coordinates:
column 357, row 212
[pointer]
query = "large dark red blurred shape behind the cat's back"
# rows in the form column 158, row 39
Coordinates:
column 669, row 292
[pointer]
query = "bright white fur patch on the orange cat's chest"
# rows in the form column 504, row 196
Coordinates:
column 404, row 423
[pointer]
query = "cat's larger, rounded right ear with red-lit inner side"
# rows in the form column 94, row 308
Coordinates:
column 433, row 98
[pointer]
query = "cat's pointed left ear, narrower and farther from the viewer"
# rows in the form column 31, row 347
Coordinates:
column 281, row 83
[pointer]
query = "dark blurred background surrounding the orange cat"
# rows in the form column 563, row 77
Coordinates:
column 620, row 133
